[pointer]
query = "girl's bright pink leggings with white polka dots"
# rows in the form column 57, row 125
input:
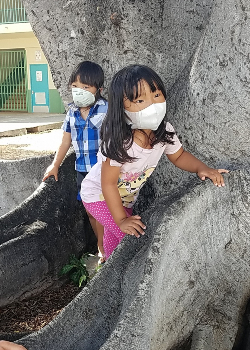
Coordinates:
column 112, row 233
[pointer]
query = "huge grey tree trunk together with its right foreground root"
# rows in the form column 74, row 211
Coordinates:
column 189, row 276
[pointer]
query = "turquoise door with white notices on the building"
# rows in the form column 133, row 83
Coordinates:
column 39, row 88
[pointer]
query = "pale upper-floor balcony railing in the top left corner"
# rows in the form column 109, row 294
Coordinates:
column 12, row 11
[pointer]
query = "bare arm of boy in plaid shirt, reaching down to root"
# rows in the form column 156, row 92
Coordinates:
column 60, row 154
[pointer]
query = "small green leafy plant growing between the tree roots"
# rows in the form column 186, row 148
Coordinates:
column 76, row 268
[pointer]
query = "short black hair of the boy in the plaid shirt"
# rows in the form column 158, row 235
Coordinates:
column 88, row 73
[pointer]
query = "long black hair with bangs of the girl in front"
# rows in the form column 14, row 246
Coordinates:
column 116, row 134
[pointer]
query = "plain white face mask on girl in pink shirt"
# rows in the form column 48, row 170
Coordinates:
column 148, row 118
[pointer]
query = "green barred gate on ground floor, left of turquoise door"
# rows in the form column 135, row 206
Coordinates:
column 13, row 80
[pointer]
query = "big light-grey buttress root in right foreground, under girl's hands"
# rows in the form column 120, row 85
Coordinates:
column 188, row 275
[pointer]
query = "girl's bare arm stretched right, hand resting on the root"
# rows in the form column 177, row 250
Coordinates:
column 186, row 161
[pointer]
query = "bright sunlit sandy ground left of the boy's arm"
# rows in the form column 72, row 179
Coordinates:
column 30, row 145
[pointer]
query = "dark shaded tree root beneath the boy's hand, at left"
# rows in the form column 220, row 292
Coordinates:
column 38, row 236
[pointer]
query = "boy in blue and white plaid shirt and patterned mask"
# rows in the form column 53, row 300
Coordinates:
column 81, row 127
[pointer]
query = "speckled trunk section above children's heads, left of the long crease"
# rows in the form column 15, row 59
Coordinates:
column 162, row 34
